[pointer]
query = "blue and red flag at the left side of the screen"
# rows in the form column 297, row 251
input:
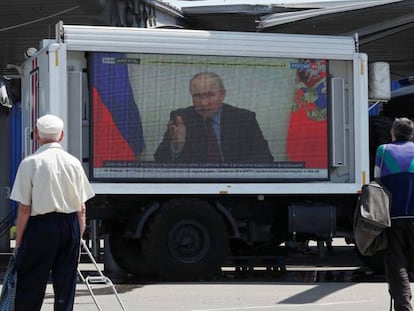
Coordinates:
column 117, row 128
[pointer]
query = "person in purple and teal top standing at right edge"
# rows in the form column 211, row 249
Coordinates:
column 394, row 165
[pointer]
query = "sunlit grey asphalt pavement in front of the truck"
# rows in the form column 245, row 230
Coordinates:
column 337, row 282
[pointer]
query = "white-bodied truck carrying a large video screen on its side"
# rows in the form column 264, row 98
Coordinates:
column 117, row 89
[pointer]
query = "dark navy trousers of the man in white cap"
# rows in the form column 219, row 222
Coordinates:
column 50, row 248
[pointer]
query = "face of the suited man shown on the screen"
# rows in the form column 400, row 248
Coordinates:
column 207, row 96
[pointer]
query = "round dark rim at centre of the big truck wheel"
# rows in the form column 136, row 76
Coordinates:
column 188, row 241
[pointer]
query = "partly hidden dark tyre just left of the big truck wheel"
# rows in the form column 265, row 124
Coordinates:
column 128, row 255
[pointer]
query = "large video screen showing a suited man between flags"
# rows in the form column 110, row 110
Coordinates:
column 197, row 117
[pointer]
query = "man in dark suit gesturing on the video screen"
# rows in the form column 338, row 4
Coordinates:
column 212, row 131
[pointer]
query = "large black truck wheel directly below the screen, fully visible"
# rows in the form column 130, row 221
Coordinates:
column 186, row 240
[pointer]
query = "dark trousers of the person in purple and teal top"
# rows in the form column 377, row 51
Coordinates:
column 398, row 258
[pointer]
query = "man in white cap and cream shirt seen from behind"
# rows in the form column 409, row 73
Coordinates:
column 51, row 188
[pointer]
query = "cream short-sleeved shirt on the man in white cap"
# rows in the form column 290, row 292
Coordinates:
column 51, row 180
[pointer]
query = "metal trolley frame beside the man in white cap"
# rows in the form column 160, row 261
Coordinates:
column 100, row 279
